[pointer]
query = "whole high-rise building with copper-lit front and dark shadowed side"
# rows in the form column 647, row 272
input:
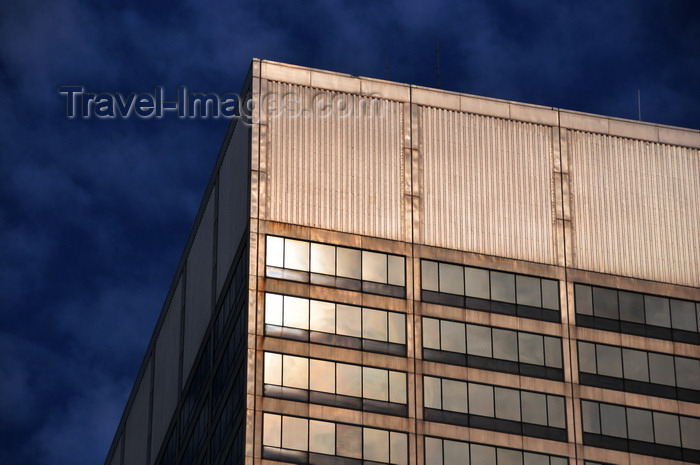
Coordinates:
column 382, row 273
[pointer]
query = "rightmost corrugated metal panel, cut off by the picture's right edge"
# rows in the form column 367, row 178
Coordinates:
column 636, row 208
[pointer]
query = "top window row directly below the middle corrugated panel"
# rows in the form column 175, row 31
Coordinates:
column 490, row 290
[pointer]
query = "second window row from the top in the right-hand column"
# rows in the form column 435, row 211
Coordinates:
column 639, row 371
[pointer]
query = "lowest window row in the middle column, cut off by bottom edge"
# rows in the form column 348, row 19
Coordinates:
column 447, row 452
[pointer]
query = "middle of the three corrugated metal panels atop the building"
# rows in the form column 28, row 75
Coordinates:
column 487, row 185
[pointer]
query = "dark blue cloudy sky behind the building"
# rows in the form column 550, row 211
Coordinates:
column 94, row 213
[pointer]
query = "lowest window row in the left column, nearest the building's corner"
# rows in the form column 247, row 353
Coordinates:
column 299, row 440
